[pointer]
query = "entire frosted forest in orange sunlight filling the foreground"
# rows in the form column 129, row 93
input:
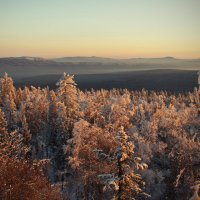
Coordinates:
column 101, row 145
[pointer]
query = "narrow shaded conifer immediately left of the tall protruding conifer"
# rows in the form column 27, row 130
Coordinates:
column 58, row 130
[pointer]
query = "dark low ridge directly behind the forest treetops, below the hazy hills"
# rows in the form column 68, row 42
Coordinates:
column 170, row 80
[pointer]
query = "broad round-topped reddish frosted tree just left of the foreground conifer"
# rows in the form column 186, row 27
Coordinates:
column 85, row 165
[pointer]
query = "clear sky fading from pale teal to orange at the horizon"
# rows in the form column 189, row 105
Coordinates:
column 106, row 28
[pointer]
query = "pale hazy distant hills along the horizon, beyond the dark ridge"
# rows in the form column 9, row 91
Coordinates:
column 29, row 66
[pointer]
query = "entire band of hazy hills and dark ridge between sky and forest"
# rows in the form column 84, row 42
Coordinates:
column 165, row 73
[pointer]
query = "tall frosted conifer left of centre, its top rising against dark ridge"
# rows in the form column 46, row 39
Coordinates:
column 67, row 114
